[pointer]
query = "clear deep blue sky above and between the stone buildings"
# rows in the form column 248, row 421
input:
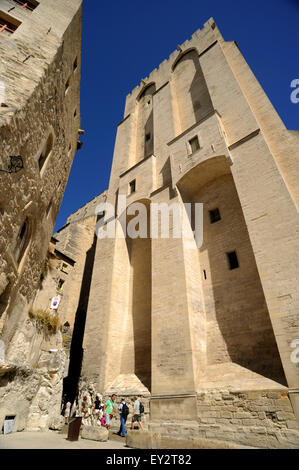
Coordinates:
column 123, row 41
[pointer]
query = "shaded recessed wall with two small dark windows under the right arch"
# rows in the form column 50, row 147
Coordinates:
column 239, row 329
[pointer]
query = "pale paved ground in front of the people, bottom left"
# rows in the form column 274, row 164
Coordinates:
column 55, row 440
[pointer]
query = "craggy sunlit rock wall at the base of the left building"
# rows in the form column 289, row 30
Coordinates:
column 32, row 392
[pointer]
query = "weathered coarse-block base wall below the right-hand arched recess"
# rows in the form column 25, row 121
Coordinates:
column 262, row 418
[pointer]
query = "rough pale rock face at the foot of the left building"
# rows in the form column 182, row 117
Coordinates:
column 33, row 394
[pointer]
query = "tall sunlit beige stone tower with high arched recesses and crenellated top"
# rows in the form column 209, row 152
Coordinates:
column 208, row 336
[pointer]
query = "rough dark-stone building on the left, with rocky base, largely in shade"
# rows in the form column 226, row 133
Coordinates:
column 40, row 62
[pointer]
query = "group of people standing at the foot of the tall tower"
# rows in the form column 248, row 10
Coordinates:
column 102, row 413
